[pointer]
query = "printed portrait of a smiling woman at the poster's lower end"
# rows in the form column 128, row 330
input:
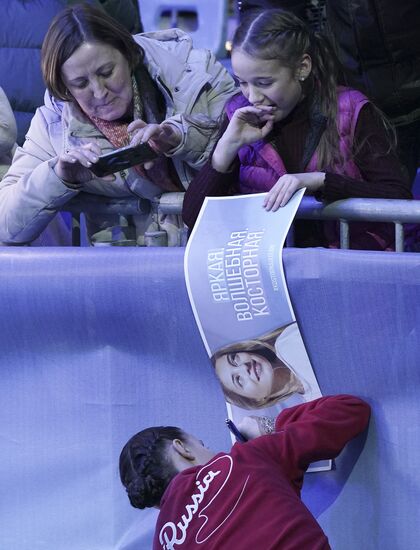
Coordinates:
column 259, row 373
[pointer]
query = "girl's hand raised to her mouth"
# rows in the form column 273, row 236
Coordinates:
column 247, row 125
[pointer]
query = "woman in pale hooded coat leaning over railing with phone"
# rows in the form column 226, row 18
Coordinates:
column 105, row 89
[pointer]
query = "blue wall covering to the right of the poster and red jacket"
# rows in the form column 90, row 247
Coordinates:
column 360, row 319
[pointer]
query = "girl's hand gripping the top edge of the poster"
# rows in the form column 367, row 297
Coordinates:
column 288, row 184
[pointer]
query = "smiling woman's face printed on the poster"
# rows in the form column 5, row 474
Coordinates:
column 245, row 373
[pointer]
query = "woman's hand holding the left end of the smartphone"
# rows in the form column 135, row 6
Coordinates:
column 73, row 165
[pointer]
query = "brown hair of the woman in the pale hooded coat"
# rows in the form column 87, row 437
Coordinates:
column 70, row 29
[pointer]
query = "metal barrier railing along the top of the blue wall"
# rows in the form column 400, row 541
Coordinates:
column 394, row 211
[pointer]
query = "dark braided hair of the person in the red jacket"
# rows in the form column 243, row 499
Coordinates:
column 145, row 467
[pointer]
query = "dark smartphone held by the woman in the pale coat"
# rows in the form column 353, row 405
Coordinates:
column 123, row 158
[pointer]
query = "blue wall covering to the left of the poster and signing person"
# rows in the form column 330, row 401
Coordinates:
column 96, row 344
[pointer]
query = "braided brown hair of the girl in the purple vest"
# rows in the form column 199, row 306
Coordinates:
column 278, row 34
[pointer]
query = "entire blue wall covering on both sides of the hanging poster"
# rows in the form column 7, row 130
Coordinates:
column 99, row 343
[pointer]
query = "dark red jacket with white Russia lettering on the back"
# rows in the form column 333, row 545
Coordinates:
column 250, row 498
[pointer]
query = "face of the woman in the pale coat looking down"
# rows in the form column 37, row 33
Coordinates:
column 99, row 78
